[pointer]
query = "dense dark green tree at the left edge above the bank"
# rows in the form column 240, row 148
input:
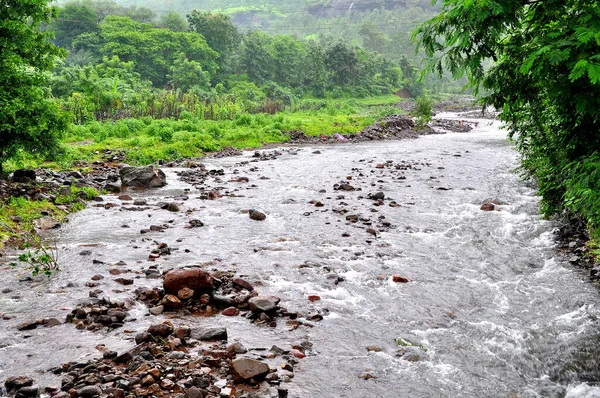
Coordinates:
column 29, row 119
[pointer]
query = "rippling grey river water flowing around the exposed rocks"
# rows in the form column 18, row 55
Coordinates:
column 491, row 309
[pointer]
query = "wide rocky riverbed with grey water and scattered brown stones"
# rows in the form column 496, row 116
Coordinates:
column 303, row 271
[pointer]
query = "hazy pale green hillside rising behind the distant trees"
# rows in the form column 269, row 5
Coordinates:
column 375, row 24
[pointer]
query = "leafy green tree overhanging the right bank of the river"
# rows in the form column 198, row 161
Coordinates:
column 544, row 77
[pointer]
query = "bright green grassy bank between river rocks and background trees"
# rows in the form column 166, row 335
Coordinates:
column 147, row 140
